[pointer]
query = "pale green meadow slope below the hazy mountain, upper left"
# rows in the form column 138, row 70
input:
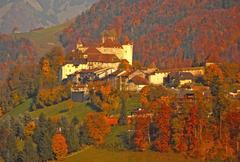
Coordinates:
column 44, row 39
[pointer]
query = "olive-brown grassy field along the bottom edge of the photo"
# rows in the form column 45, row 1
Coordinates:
column 101, row 155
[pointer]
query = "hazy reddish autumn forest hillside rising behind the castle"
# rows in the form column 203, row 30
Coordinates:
column 170, row 33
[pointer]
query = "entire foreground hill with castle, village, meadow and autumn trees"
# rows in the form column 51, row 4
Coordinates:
column 118, row 104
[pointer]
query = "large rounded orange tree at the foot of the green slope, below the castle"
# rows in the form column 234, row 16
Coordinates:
column 97, row 127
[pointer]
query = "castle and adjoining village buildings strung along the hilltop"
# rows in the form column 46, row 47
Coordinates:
column 109, row 62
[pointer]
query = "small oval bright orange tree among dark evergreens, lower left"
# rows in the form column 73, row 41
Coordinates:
column 59, row 146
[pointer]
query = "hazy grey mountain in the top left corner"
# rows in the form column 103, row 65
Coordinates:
column 25, row 15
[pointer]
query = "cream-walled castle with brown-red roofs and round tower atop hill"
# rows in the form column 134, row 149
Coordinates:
column 107, row 54
